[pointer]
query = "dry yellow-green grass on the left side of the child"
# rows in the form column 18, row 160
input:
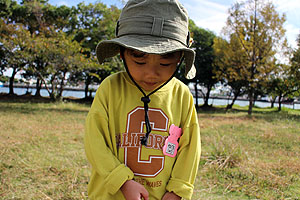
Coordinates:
column 41, row 150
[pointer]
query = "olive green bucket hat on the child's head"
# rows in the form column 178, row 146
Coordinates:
column 154, row 27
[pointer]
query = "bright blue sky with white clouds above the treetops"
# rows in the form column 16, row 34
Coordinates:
column 212, row 14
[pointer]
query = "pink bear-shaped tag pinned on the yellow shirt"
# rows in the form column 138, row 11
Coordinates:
column 171, row 143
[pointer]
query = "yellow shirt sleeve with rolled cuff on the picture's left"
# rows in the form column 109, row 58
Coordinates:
column 101, row 150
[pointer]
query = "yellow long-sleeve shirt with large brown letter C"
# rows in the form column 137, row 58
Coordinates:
column 114, row 126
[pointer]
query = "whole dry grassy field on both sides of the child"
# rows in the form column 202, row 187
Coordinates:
column 257, row 157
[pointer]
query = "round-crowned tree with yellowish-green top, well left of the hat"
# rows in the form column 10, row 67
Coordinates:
column 59, row 55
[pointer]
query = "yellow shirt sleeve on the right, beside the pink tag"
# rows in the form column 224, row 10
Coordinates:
column 188, row 157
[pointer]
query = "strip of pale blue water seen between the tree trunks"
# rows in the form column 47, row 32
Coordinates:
column 214, row 102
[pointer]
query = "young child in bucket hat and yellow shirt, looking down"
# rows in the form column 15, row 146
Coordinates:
column 142, row 135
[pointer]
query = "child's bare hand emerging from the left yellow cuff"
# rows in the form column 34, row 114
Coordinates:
column 132, row 190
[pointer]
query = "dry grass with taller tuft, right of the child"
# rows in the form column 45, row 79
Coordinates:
column 246, row 157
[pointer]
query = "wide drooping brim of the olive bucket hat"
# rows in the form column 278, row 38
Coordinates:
column 148, row 44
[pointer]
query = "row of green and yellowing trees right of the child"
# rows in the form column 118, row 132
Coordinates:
column 252, row 56
